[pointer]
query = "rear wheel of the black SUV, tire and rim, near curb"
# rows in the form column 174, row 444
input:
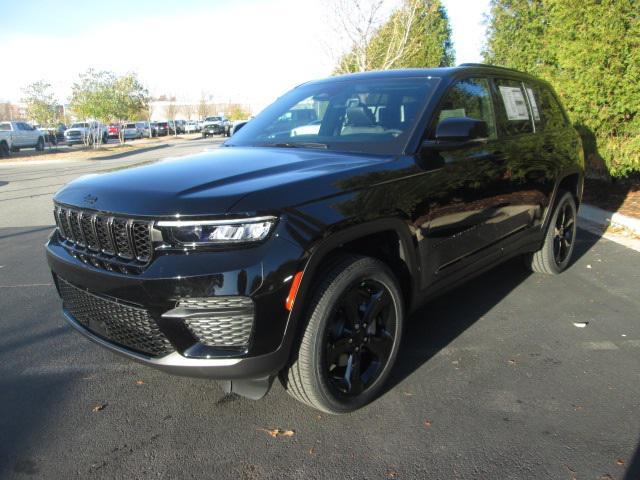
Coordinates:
column 555, row 255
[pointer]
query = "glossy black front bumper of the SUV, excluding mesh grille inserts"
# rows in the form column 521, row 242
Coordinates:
column 259, row 272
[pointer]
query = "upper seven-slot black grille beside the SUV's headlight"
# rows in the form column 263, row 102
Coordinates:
column 105, row 238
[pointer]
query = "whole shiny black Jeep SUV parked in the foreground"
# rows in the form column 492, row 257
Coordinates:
column 300, row 247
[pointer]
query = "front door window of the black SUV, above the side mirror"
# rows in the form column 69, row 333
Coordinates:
column 470, row 98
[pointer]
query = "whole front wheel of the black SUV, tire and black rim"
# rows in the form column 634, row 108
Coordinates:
column 351, row 340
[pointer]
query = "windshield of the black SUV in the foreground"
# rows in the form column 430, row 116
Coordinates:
column 358, row 115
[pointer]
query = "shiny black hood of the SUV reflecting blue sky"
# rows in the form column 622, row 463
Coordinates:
column 213, row 182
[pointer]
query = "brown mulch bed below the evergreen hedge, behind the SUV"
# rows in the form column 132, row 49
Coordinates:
column 618, row 196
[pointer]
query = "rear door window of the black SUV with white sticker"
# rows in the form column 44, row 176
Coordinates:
column 514, row 112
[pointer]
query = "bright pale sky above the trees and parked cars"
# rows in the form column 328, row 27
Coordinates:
column 244, row 51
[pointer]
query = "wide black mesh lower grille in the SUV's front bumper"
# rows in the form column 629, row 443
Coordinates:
column 126, row 325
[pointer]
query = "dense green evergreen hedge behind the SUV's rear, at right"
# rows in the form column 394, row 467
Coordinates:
column 590, row 53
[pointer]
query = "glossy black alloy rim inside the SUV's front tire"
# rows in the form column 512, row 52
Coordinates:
column 359, row 338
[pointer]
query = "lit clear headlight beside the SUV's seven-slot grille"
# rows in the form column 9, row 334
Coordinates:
column 218, row 232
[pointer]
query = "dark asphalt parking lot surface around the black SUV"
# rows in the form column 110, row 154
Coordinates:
column 513, row 376
